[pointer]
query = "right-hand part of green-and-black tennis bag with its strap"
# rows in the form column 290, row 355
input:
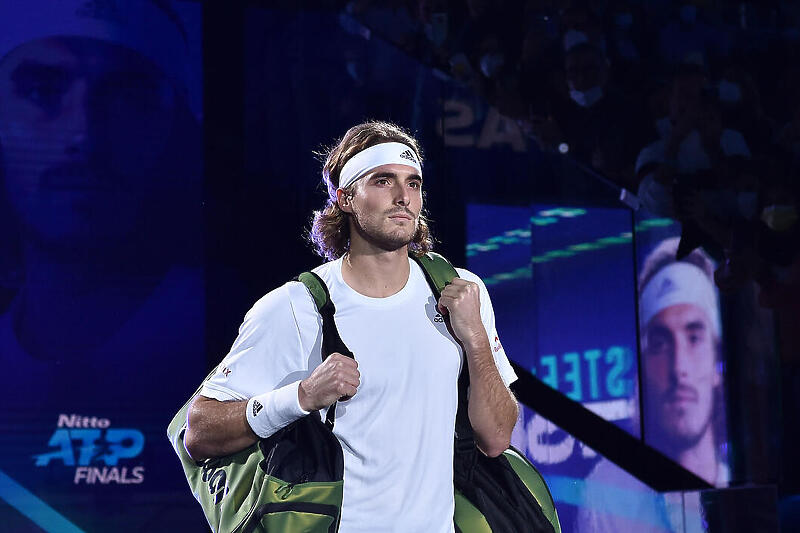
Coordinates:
column 503, row 494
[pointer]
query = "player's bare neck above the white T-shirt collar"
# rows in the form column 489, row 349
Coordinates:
column 376, row 273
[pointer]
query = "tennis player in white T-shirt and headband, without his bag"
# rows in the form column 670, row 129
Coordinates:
column 398, row 398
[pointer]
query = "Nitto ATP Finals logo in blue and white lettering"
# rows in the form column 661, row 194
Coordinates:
column 95, row 449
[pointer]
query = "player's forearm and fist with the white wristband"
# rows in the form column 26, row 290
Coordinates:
column 218, row 428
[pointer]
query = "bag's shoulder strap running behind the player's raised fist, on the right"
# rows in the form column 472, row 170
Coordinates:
column 439, row 272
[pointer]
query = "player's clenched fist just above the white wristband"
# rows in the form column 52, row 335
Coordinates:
column 336, row 378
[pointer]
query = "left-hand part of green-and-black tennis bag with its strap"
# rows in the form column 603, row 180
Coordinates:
column 289, row 482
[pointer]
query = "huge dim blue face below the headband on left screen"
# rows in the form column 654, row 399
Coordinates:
column 84, row 125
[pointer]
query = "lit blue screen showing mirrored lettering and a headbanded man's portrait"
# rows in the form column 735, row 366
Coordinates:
column 564, row 283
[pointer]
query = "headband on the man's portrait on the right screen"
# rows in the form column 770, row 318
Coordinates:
column 679, row 283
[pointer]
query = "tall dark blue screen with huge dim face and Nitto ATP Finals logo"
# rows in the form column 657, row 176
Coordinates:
column 103, row 319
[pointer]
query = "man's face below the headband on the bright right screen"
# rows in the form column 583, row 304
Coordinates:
column 680, row 376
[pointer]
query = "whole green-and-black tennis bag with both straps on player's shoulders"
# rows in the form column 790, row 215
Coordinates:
column 292, row 481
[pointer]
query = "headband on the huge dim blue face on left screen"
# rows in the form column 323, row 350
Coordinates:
column 139, row 25
